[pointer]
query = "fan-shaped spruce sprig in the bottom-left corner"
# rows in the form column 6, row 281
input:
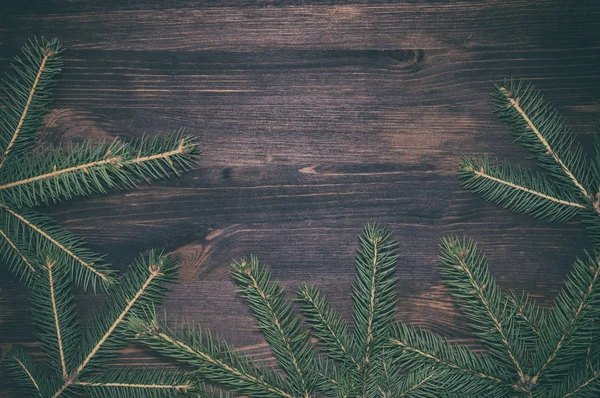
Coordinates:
column 77, row 359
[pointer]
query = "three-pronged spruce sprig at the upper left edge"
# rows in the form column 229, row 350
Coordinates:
column 29, row 179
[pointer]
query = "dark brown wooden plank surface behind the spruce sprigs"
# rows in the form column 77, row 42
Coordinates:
column 314, row 118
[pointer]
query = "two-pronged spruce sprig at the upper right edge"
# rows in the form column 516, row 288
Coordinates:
column 570, row 183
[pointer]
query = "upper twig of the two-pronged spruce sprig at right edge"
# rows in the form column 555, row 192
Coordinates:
column 539, row 128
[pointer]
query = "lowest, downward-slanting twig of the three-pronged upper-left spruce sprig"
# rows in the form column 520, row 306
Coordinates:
column 44, row 236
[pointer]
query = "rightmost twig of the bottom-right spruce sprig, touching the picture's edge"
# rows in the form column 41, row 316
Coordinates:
column 573, row 314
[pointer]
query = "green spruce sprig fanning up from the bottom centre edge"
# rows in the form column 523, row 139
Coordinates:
column 349, row 363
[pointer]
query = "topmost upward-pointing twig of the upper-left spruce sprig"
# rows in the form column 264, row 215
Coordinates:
column 27, row 95
